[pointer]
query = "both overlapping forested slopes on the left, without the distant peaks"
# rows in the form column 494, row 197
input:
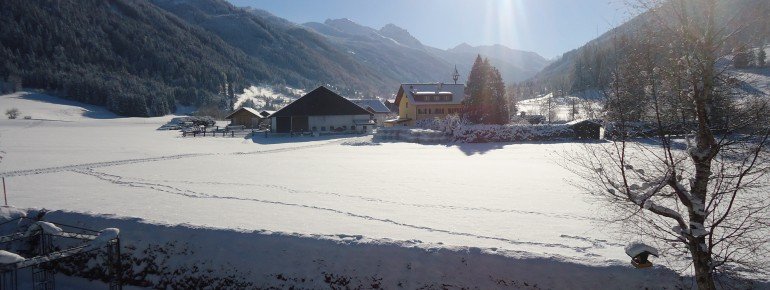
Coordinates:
column 139, row 60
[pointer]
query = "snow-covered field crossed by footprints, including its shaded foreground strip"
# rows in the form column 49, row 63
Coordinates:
column 511, row 207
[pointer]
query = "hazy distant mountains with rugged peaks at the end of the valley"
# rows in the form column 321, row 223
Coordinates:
column 395, row 53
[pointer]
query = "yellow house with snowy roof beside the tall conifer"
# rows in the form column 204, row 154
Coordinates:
column 427, row 101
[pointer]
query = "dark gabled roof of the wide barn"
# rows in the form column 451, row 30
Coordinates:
column 321, row 102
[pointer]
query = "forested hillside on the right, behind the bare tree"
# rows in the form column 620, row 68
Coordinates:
column 588, row 67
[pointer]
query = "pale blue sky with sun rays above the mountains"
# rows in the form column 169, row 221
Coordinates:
column 548, row 27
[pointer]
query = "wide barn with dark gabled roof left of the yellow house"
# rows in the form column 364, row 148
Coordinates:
column 322, row 111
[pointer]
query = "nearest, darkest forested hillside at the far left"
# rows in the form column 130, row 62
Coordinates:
column 128, row 55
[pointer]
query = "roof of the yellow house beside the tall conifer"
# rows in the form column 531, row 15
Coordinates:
column 409, row 91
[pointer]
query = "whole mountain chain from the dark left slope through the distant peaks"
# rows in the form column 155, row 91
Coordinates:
column 143, row 57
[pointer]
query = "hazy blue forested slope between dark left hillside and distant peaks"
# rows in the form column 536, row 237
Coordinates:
column 293, row 54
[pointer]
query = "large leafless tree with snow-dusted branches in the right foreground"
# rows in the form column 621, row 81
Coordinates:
column 701, row 196
